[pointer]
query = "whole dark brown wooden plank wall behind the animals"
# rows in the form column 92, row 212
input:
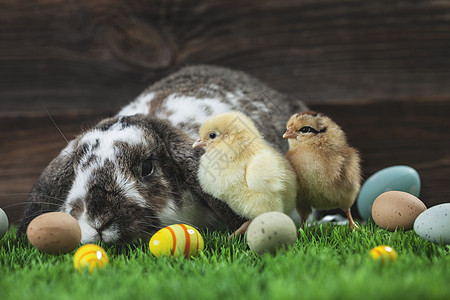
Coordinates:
column 380, row 68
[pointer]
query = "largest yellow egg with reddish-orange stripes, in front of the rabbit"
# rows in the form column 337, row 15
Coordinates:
column 177, row 240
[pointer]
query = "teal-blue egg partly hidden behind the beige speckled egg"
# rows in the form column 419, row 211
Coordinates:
column 395, row 178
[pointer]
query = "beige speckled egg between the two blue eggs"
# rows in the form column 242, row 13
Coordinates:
column 396, row 210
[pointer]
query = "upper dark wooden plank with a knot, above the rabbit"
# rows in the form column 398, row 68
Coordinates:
column 87, row 54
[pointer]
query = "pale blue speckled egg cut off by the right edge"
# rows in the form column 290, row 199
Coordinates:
column 434, row 224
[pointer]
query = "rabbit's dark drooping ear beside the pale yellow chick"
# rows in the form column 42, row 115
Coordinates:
column 187, row 160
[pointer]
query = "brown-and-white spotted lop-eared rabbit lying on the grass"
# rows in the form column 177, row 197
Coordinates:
column 135, row 173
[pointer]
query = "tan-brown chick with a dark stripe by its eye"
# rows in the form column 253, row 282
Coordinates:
column 327, row 168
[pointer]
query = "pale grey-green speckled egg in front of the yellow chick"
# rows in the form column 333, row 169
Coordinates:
column 271, row 231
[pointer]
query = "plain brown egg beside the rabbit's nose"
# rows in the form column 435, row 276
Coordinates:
column 54, row 233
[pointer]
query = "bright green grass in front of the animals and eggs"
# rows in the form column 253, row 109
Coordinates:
column 327, row 262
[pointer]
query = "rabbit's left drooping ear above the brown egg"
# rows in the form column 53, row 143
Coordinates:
column 50, row 190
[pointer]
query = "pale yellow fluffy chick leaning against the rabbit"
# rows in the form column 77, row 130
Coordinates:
column 242, row 170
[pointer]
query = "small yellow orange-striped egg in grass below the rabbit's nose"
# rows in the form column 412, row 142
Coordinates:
column 91, row 256
